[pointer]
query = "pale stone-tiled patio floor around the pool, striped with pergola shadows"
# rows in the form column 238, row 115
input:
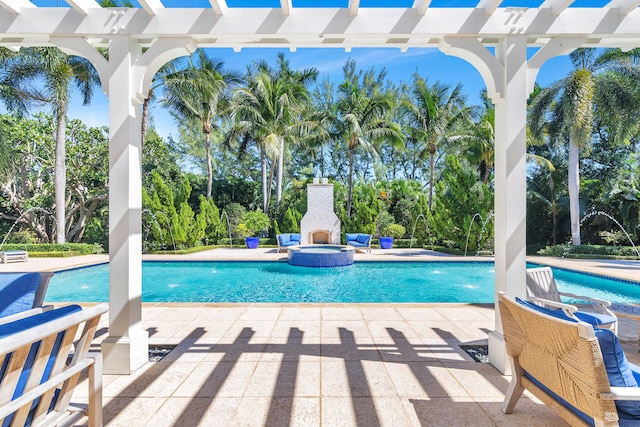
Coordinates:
column 317, row 364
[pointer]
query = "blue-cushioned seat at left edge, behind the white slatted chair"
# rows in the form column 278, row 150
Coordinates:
column 20, row 292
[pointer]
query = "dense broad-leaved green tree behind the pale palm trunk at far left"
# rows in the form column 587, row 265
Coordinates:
column 27, row 190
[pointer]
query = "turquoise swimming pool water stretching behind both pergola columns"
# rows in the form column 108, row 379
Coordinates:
column 280, row 282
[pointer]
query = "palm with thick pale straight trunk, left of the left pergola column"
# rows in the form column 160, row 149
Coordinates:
column 59, row 73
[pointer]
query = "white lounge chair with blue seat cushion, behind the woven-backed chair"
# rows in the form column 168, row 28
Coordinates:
column 542, row 289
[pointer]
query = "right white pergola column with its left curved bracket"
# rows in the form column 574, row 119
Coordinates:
column 505, row 76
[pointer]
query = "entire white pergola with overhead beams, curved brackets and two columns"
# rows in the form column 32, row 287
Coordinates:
column 493, row 39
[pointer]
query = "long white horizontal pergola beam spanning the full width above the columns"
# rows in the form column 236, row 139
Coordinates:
column 316, row 27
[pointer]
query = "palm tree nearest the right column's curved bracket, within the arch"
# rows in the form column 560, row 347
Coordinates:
column 433, row 113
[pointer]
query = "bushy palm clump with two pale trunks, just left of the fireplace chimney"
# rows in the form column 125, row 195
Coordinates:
column 269, row 110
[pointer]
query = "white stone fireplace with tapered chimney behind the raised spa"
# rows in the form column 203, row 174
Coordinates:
column 320, row 225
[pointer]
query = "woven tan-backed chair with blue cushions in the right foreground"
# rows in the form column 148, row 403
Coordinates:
column 581, row 373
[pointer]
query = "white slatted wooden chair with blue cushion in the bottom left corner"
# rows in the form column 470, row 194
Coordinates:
column 40, row 367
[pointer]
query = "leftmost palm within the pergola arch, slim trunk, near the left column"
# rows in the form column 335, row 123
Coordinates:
column 200, row 92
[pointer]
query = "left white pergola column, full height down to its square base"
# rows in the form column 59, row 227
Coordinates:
column 126, row 347
